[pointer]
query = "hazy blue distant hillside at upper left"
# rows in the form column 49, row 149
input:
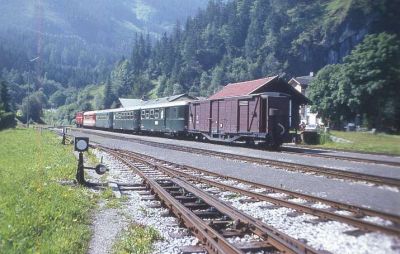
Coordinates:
column 78, row 41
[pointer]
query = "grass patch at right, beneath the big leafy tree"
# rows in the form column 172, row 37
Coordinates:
column 366, row 142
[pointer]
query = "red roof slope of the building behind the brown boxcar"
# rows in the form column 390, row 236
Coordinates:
column 241, row 88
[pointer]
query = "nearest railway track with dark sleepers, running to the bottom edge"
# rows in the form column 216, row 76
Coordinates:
column 210, row 220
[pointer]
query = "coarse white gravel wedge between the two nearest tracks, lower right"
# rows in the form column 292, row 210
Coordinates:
column 307, row 228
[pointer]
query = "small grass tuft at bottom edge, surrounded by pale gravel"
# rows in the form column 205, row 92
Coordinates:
column 137, row 239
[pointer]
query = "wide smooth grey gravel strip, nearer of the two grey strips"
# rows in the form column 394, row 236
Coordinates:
column 384, row 199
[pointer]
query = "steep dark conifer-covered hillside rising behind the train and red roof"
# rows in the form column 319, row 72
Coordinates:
column 243, row 40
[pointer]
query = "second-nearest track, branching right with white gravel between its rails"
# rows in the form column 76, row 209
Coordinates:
column 354, row 215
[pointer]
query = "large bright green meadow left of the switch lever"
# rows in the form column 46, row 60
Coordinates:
column 37, row 213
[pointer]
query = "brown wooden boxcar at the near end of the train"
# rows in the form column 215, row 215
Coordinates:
column 263, row 116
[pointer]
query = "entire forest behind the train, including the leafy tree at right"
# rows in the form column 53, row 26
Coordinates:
column 352, row 45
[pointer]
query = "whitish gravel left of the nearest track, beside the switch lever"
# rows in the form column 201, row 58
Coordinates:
column 108, row 223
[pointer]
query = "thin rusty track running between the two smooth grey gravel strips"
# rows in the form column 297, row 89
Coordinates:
column 329, row 172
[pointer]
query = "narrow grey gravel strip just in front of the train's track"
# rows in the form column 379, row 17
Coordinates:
column 374, row 169
